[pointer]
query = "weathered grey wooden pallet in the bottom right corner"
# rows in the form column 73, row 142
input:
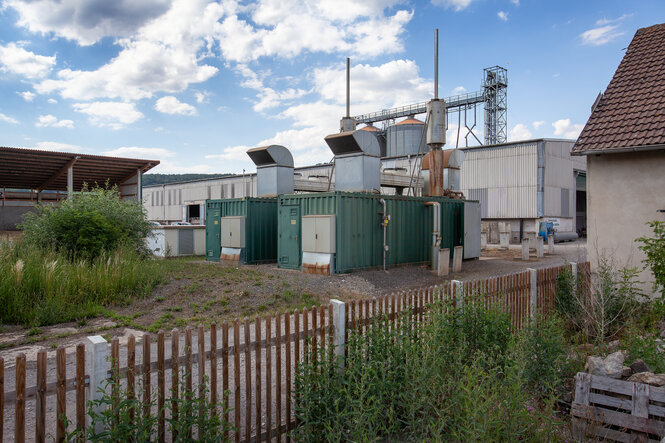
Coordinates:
column 617, row 410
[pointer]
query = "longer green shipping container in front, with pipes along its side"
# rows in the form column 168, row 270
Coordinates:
column 358, row 229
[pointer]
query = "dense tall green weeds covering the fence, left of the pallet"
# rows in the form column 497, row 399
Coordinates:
column 459, row 376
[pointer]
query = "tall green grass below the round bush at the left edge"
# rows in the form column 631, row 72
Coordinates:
column 41, row 287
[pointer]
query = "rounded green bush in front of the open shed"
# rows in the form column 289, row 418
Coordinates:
column 94, row 221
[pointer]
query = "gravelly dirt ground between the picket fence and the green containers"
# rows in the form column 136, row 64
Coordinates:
column 201, row 292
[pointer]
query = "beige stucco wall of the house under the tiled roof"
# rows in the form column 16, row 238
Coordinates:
column 624, row 192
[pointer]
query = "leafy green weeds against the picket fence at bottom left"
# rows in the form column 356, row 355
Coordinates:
column 190, row 417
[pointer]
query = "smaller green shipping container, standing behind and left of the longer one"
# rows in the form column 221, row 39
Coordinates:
column 260, row 227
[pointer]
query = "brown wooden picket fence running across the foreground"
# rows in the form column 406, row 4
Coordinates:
column 256, row 361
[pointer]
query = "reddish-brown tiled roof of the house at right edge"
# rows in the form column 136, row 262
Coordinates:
column 631, row 113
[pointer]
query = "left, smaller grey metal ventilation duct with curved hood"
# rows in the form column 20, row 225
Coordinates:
column 274, row 170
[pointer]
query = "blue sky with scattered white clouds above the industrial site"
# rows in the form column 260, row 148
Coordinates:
column 195, row 83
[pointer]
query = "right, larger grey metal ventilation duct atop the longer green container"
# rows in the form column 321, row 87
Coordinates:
column 357, row 160
